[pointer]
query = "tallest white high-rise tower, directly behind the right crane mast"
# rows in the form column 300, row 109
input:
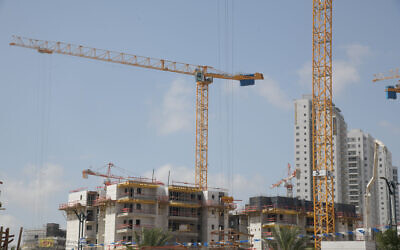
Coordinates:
column 303, row 150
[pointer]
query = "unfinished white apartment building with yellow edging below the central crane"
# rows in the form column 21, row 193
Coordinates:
column 115, row 213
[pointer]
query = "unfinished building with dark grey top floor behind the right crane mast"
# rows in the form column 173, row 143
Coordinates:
column 263, row 213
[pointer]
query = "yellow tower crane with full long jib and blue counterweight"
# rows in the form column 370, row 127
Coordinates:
column 204, row 76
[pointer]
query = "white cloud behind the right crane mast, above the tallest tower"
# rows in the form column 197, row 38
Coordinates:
column 345, row 71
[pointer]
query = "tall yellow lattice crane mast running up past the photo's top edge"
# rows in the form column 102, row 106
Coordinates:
column 322, row 121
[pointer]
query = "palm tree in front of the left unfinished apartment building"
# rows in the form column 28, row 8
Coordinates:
column 151, row 237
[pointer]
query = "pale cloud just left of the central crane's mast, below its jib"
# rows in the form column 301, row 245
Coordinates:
column 177, row 109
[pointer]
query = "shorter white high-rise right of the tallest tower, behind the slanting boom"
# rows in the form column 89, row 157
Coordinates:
column 360, row 167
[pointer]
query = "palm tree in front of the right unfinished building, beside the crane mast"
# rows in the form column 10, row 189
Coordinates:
column 287, row 238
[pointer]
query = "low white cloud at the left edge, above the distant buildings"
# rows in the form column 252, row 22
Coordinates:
column 34, row 187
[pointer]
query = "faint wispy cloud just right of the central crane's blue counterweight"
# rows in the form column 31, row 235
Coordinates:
column 272, row 92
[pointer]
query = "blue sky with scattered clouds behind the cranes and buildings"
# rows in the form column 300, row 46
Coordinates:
column 60, row 114
